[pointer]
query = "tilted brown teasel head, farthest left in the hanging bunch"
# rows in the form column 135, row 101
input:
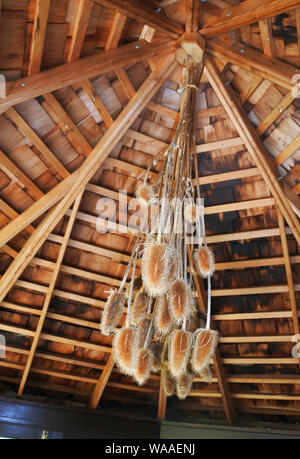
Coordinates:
column 112, row 313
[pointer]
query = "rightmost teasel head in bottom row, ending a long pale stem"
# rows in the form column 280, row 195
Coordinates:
column 205, row 342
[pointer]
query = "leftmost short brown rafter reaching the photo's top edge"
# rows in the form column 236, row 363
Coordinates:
column 41, row 13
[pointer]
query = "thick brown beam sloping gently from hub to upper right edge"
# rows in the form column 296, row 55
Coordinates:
column 266, row 67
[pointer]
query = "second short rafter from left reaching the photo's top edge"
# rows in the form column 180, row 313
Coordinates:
column 83, row 13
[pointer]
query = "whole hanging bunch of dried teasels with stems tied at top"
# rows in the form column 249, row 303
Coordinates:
column 162, row 330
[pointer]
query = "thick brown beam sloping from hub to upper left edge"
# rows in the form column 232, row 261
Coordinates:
column 88, row 67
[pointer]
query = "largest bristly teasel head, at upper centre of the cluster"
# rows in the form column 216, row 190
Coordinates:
column 156, row 263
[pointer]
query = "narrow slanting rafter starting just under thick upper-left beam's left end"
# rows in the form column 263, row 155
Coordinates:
column 29, row 133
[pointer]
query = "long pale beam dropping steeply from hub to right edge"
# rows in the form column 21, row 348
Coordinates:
column 257, row 151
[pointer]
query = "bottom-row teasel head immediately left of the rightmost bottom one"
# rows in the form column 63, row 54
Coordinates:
column 180, row 345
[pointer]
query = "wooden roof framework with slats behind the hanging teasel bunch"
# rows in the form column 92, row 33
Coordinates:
column 92, row 92
